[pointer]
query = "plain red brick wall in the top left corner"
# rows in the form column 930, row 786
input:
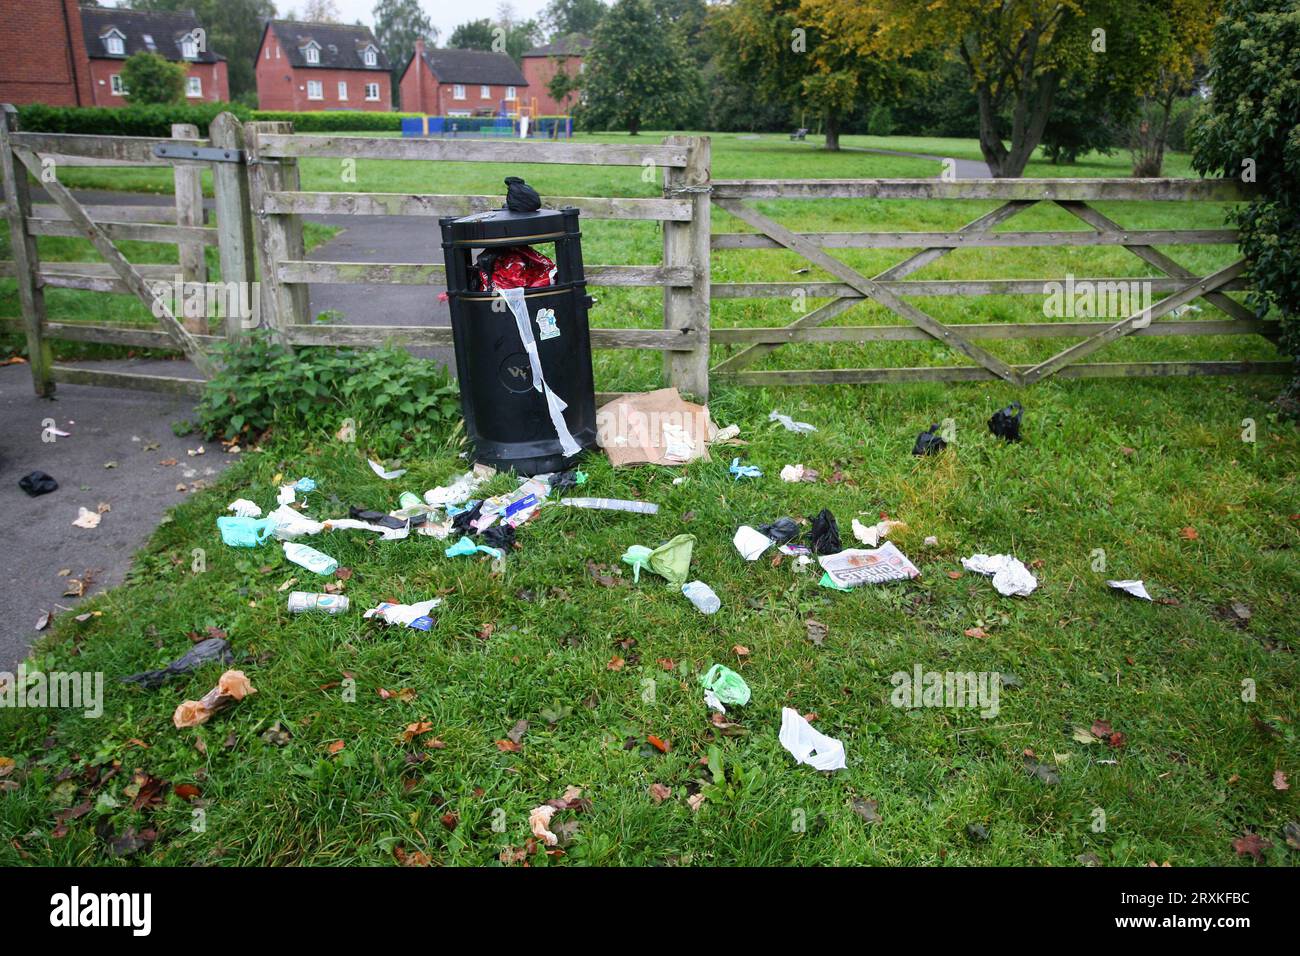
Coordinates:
column 44, row 54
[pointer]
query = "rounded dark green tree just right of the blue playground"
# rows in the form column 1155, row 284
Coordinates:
column 639, row 72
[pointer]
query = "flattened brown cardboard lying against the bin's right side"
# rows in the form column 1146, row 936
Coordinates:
column 655, row 429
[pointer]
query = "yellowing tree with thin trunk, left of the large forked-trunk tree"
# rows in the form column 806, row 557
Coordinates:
column 800, row 55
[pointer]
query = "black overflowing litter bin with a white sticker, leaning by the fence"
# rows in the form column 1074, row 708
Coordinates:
column 508, row 419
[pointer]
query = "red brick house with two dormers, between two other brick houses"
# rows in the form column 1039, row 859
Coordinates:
column 309, row 67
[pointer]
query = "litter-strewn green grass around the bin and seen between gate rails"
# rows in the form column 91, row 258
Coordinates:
column 1121, row 466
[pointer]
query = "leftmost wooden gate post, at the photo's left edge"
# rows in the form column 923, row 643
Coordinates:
column 27, row 261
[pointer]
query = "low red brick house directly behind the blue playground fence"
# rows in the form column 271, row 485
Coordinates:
column 462, row 83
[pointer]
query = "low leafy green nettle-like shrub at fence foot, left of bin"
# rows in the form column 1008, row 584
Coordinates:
column 395, row 400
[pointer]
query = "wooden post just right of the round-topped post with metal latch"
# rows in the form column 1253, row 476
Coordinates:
column 279, row 237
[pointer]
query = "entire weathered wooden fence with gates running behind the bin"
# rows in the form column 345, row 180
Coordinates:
column 259, row 207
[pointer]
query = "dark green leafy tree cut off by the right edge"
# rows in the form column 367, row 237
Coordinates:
column 1253, row 131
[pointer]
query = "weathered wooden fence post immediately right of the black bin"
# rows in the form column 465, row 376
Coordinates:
column 687, row 244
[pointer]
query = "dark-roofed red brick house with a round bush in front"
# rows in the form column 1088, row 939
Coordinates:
column 111, row 36
